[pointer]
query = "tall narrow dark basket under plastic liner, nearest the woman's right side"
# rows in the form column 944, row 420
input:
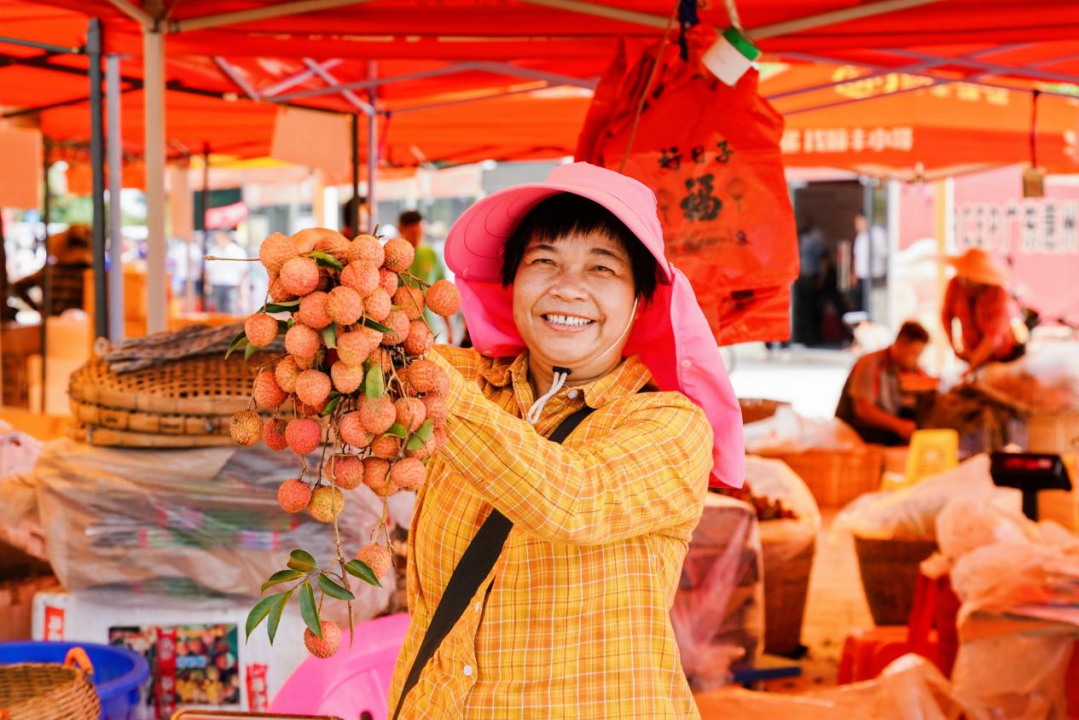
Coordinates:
column 786, row 589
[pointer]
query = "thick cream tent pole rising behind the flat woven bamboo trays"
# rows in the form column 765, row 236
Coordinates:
column 154, row 63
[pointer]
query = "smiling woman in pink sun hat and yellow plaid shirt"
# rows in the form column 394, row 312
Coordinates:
column 577, row 317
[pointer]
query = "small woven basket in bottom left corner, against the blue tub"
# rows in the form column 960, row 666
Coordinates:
column 47, row 692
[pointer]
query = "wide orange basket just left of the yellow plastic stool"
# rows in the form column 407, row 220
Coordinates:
column 836, row 478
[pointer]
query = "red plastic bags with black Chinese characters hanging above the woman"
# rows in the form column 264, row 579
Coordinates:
column 712, row 155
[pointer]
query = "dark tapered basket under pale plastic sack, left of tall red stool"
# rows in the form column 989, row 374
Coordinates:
column 890, row 570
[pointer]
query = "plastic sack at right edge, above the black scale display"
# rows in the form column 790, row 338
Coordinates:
column 1046, row 381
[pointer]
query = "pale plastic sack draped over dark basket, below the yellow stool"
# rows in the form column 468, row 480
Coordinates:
column 911, row 513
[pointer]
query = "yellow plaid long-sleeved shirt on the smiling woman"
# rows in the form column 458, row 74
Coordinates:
column 573, row 621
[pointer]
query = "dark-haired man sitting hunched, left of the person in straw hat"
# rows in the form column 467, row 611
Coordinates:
column 880, row 400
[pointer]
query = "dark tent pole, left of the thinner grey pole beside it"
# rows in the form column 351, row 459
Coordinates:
column 98, row 164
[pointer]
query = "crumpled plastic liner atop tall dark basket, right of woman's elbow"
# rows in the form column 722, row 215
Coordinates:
column 785, row 539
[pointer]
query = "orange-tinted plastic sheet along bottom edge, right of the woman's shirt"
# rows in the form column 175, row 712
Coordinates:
column 909, row 689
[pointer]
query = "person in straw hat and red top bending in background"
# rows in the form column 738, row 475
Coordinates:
column 988, row 315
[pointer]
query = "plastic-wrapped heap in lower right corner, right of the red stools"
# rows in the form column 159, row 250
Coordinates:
column 1004, row 566
